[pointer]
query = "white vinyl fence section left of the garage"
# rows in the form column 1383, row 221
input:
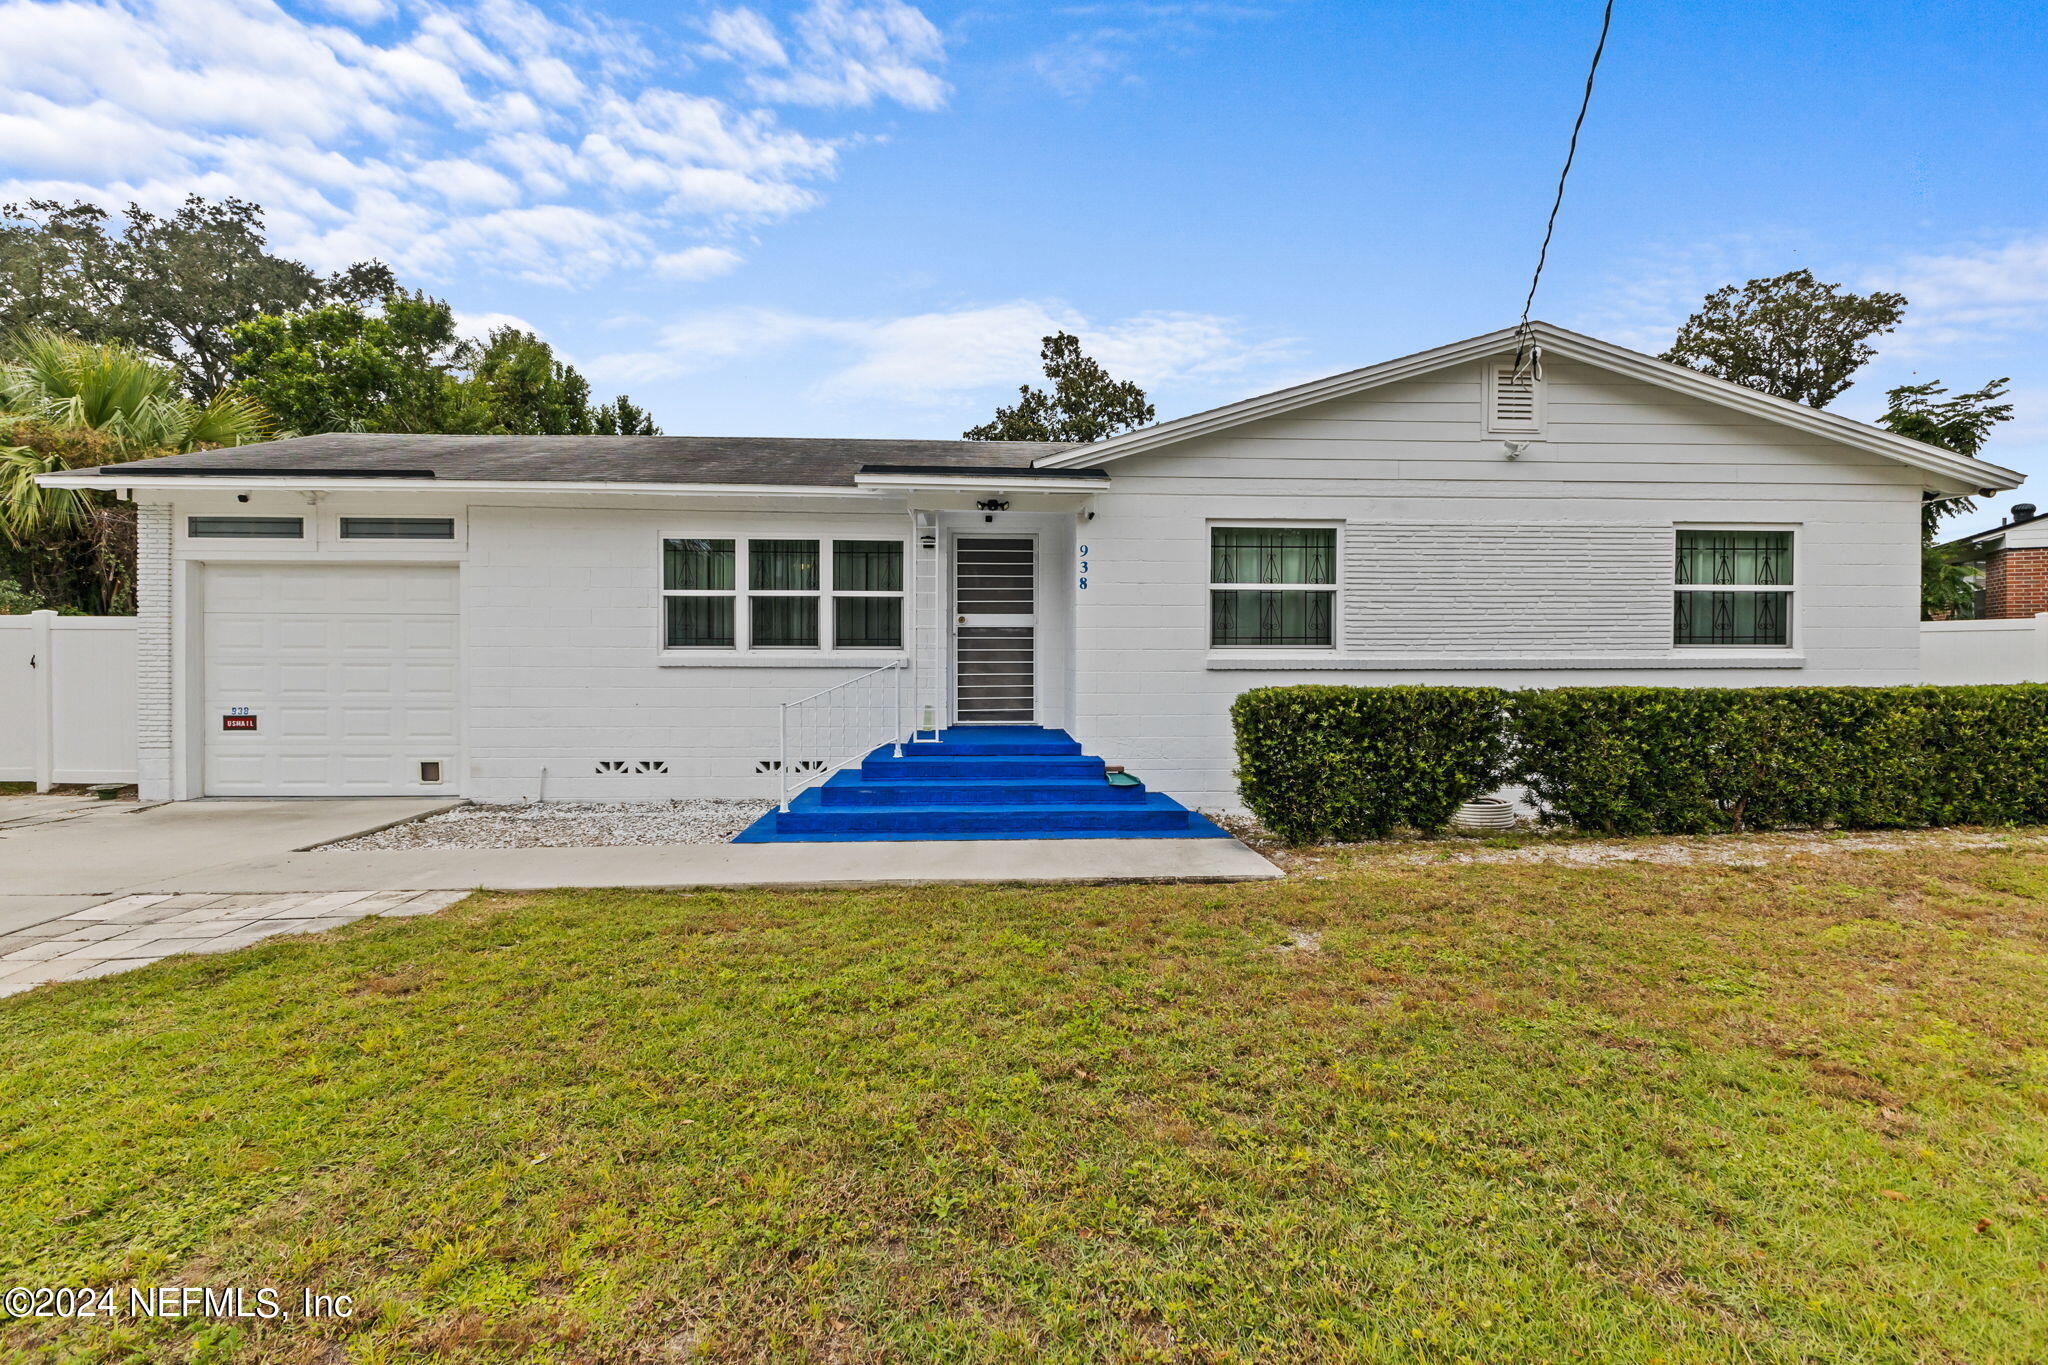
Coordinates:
column 67, row 699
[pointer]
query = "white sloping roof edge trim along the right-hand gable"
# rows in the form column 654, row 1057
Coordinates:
column 1955, row 472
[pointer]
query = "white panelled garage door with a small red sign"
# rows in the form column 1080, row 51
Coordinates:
column 331, row 680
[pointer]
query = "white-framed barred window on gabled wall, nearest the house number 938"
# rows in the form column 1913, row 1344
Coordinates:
column 1273, row 586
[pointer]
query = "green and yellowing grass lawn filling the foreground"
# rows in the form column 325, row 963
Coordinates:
column 1381, row 1112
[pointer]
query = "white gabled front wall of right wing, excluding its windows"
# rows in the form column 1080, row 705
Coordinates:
column 1408, row 466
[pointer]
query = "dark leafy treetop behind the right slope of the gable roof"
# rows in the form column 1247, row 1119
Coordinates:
column 1789, row 337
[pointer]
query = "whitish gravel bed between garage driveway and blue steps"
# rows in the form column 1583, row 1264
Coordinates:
column 568, row 826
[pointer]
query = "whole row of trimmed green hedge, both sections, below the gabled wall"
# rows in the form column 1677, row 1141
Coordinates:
column 1359, row 762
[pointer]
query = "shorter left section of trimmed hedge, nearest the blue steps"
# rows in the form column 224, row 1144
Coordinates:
column 1342, row 764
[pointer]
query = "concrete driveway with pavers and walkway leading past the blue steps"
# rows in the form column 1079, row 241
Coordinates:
column 99, row 887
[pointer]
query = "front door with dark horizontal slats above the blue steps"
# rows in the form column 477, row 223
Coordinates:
column 994, row 629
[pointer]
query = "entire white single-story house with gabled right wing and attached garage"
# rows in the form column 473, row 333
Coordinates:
column 626, row 617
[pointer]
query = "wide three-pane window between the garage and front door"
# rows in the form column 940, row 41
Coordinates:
column 783, row 595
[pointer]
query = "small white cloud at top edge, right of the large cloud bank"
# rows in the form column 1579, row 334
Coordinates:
column 841, row 56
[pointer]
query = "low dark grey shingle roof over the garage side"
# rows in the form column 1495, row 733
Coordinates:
column 599, row 459
